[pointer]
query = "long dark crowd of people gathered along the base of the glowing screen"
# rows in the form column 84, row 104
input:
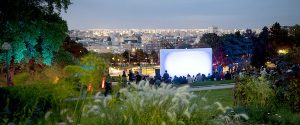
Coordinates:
column 136, row 77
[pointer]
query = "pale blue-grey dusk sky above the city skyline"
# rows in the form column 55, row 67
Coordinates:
column 227, row 14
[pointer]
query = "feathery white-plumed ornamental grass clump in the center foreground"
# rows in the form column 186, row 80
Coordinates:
column 149, row 105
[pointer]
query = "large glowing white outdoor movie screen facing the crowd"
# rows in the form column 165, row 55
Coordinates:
column 181, row 62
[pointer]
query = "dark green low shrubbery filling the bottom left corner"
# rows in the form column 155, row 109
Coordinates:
column 28, row 104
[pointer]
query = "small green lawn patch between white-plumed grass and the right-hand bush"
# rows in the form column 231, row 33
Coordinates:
column 224, row 96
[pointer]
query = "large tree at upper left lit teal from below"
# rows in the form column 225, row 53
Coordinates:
column 33, row 28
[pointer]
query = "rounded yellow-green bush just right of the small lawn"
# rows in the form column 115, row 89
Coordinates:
column 253, row 91
